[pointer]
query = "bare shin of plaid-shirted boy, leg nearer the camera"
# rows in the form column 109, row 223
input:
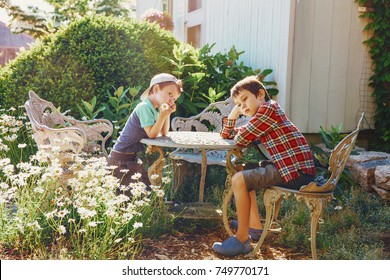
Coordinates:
column 243, row 206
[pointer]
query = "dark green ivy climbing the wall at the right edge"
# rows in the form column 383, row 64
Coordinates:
column 379, row 24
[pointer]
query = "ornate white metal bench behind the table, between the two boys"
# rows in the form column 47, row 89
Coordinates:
column 210, row 119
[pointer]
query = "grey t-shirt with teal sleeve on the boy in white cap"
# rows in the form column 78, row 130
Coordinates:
column 143, row 115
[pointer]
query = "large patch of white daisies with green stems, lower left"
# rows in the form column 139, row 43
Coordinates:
column 77, row 198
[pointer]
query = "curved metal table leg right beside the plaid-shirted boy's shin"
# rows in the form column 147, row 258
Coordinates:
column 228, row 193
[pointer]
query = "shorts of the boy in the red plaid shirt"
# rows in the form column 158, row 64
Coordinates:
column 268, row 176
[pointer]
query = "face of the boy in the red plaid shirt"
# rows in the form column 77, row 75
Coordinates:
column 248, row 103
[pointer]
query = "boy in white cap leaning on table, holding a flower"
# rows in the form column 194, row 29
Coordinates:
column 150, row 118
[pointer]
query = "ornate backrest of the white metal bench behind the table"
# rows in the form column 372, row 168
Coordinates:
column 210, row 119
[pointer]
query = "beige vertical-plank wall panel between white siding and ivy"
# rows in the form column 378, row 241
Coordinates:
column 331, row 66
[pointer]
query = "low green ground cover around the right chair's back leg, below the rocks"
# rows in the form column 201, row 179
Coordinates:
column 350, row 232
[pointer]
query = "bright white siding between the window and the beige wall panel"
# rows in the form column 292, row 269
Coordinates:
column 260, row 28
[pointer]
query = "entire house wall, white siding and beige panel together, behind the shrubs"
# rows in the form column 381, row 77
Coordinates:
column 314, row 47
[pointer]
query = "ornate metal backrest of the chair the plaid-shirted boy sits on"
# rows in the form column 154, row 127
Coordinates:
column 337, row 161
